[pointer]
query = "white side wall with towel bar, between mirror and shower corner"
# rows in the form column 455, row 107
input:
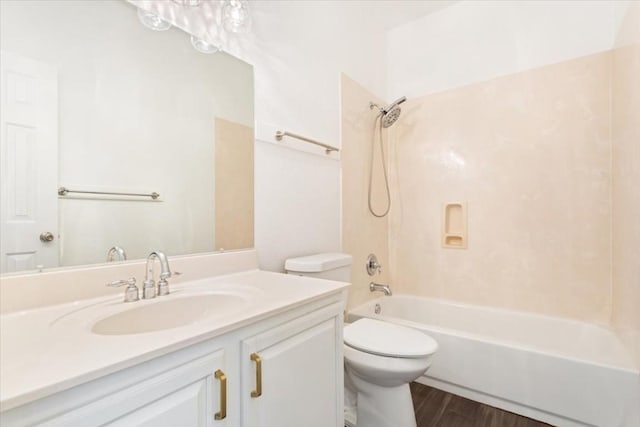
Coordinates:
column 298, row 50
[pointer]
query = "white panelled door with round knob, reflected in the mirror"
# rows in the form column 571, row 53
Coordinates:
column 28, row 164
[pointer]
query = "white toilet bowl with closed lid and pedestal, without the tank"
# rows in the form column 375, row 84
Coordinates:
column 381, row 359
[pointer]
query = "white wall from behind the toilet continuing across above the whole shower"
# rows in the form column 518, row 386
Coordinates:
column 298, row 50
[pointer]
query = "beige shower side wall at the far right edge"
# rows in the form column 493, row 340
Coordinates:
column 626, row 182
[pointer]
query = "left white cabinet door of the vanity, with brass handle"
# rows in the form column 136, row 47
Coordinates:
column 189, row 395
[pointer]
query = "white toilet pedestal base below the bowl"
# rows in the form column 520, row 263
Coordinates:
column 380, row 406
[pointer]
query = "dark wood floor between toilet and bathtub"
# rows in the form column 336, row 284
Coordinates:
column 436, row 408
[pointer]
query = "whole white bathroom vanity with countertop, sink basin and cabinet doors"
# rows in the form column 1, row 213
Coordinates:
column 229, row 346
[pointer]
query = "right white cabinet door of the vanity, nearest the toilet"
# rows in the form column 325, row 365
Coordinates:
column 292, row 374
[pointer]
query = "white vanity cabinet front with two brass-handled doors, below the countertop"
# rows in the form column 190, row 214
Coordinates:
column 211, row 382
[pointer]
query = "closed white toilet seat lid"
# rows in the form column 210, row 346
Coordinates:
column 388, row 339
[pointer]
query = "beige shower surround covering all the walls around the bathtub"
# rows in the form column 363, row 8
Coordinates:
column 548, row 161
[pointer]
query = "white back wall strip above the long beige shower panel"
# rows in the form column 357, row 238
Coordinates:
column 473, row 41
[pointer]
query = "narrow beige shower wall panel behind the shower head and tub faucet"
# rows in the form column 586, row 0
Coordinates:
column 362, row 233
